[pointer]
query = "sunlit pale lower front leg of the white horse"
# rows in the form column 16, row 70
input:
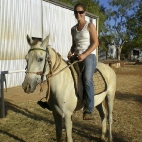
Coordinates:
column 68, row 125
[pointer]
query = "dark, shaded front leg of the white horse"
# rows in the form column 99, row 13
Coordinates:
column 58, row 125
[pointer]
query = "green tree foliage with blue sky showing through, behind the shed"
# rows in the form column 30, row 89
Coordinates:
column 121, row 22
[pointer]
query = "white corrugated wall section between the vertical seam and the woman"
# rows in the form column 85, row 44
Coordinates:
column 58, row 22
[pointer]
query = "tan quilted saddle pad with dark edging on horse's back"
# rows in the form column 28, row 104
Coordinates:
column 99, row 81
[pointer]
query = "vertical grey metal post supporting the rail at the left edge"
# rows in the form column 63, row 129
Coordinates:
column 2, row 96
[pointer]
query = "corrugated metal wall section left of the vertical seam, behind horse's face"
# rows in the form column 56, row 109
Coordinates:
column 17, row 18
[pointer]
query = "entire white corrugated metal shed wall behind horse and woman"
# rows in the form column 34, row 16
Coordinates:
column 36, row 18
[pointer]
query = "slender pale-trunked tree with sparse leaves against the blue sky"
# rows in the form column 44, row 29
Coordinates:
column 116, row 23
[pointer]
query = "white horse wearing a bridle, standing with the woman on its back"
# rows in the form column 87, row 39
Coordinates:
column 63, row 99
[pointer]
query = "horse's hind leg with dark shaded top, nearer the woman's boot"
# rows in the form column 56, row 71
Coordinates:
column 102, row 113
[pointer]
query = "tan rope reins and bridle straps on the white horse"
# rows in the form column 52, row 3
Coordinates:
column 51, row 70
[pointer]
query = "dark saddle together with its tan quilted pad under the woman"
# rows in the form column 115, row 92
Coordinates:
column 100, row 85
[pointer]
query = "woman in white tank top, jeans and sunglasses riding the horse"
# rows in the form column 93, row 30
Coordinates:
column 84, row 42
